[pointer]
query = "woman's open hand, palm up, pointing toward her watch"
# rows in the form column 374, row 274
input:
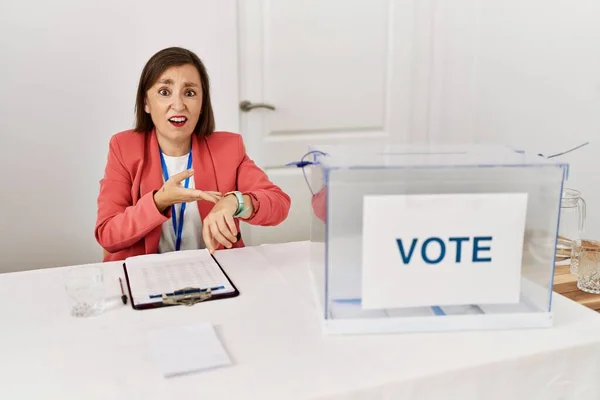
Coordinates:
column 173, row 192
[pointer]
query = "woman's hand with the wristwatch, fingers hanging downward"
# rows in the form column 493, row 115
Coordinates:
column 218, row 226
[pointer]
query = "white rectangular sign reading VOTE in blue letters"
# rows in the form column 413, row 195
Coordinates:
column 442, row 249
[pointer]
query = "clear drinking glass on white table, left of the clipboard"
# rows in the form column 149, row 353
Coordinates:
column 85, row 291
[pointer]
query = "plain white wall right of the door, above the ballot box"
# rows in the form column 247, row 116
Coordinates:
column 521, row 72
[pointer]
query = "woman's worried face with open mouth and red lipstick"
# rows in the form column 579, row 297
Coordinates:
column 175, row 101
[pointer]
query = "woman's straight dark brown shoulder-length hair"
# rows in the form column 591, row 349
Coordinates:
column 154, row 68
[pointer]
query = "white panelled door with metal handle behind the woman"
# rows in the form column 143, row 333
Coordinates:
column 335, row 71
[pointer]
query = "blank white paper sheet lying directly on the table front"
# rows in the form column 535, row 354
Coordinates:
column 187, row 349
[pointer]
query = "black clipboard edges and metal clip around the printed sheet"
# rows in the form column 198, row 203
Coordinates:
column 188, row 296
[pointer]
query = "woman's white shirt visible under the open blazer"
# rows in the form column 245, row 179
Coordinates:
column 191, row 236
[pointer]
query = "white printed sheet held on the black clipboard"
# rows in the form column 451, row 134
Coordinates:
column 156, row 274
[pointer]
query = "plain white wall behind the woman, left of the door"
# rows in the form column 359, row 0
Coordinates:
column 68, row 75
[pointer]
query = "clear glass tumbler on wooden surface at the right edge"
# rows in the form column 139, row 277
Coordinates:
column 587, row 253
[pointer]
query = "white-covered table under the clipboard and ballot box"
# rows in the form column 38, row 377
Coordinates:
column 273, row 336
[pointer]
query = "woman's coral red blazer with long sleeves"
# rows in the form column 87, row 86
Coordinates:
column 128, row 222
